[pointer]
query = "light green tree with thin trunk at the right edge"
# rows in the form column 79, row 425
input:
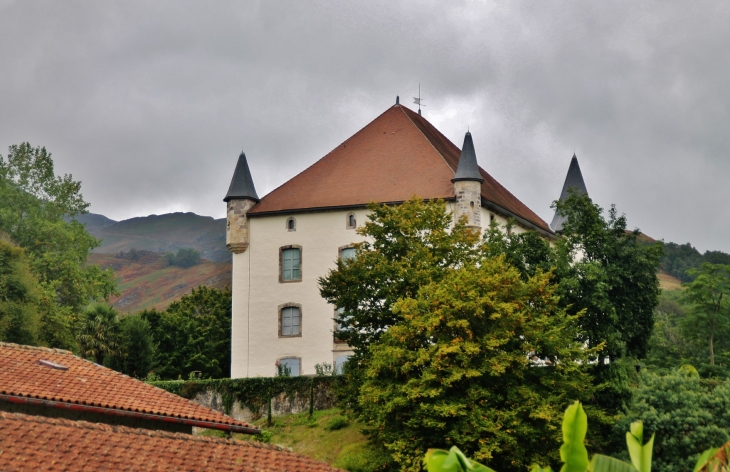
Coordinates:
column 709, row 294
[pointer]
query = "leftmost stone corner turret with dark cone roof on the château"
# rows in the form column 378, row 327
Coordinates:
column 240, row 198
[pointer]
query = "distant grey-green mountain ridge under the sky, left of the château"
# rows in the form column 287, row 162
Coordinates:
column 160, row 233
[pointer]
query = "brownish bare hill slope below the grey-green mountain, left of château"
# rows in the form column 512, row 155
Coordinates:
column 148, row 282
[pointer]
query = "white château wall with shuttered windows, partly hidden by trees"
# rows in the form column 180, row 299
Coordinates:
column 258, row 293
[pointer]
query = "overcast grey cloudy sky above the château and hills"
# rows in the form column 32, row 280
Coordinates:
column 149, row 103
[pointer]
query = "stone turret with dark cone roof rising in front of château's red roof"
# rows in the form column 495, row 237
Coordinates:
column 468, row 185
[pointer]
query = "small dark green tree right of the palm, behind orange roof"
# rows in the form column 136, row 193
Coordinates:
column 138, row 351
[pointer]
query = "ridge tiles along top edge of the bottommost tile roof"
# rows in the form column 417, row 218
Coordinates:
column 81, row 424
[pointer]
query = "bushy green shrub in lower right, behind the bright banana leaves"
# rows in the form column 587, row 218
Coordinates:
column 686, row 413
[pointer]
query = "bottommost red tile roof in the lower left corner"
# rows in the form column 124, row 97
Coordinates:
column 38, row 443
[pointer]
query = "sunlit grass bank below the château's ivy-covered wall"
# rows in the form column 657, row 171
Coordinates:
column 327, row 437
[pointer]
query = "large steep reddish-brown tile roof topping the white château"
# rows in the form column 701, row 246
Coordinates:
column 396, row 156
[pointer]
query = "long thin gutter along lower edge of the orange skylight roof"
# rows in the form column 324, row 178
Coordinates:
column 127, row 414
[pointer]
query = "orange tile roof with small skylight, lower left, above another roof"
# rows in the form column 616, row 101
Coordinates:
column 28, row 375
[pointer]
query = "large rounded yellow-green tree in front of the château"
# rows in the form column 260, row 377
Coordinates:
column 481, row 359
